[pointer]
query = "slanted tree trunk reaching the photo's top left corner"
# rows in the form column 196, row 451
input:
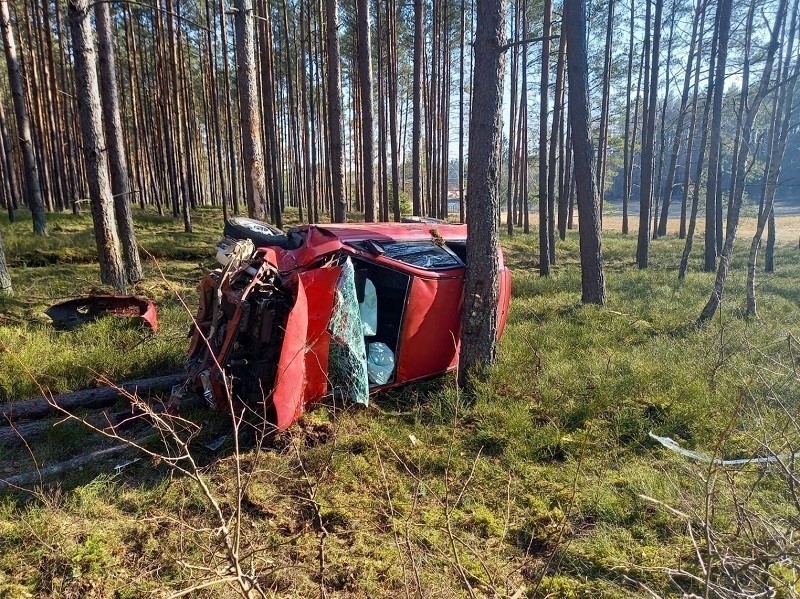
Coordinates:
column 31, row 169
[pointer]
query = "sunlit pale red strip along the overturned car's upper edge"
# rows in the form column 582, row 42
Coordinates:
column 351, row 232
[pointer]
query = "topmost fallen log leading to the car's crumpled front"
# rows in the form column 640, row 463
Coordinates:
column 100, row 397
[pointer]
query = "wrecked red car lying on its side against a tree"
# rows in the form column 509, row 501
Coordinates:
column 341, row 310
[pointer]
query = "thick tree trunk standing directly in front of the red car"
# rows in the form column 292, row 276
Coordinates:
column 482, row 286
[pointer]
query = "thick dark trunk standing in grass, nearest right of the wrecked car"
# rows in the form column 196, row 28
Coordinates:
column 592, row 277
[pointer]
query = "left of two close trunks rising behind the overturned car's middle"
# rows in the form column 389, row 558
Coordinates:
column 336, row 166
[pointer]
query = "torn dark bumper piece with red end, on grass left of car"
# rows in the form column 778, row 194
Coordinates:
column 77, row 311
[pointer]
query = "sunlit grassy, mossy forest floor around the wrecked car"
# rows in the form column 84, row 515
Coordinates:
column 547, row 486
